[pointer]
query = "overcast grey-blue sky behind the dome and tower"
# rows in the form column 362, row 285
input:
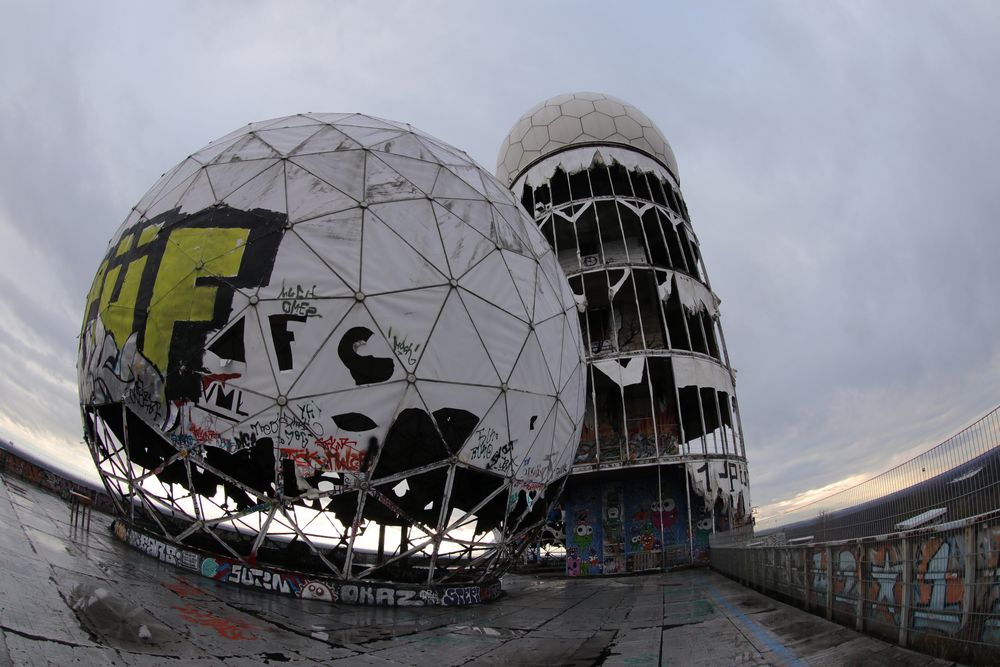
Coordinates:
column 839, row 159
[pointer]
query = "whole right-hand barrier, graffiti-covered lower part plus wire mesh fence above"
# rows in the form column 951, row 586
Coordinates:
column 912, row 555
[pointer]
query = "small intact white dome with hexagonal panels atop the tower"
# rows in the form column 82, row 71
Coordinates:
column 567, row 120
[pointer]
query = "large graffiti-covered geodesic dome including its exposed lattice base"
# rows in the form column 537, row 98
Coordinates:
column 333, row 343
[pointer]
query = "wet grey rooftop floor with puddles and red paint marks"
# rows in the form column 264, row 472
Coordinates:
column 85, row 598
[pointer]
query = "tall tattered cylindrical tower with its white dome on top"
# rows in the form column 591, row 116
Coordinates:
column 603, row 186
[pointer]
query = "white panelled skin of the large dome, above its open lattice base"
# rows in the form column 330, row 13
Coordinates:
column 327, row 283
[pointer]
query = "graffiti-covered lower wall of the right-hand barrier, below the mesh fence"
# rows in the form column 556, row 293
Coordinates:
column 935, row 589
